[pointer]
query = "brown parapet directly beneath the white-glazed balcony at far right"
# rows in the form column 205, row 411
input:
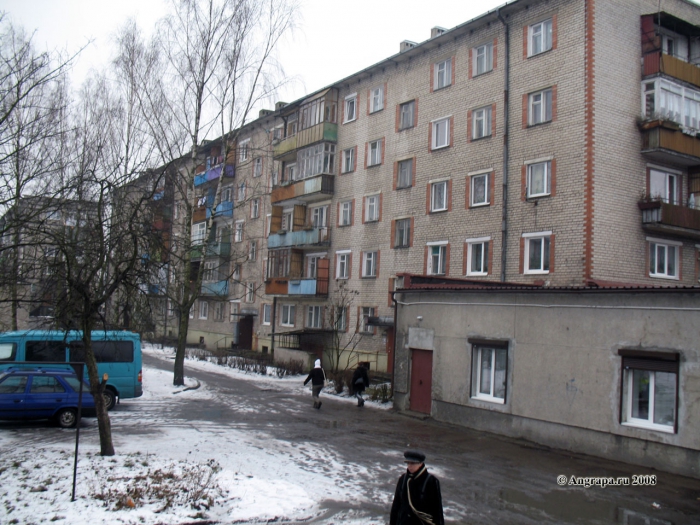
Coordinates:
column 664, row 141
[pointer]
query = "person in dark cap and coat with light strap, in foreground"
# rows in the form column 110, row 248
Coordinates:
column 417, row 500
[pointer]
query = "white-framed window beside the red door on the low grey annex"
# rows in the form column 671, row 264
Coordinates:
column 489, row 365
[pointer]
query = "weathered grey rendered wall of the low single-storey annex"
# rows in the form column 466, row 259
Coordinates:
column 564, row 372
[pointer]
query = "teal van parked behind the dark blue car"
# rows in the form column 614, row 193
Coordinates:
column 118, row 355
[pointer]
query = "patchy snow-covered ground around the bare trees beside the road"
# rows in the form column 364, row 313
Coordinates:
column 176, row 478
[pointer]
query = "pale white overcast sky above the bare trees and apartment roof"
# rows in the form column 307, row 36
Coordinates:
column 332, row 41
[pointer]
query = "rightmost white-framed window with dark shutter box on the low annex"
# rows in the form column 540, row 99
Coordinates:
column 649, row 390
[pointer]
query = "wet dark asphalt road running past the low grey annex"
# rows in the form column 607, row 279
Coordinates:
column 484, row 478
